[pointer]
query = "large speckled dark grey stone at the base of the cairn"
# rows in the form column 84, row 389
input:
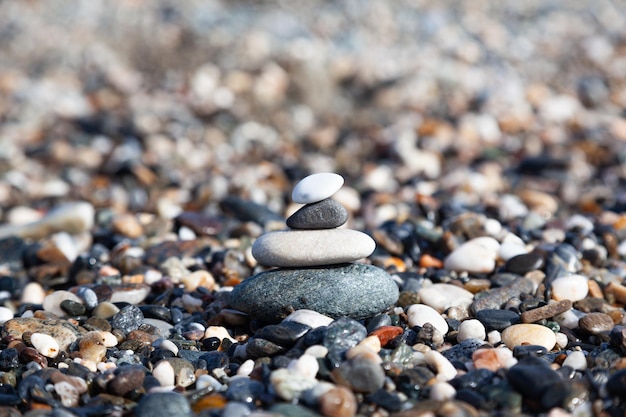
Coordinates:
column 357, row 291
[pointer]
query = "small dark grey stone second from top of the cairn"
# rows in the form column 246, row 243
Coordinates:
column 325, row 214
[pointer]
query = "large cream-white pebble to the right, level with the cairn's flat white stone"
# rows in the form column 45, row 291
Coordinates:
column 477, row 255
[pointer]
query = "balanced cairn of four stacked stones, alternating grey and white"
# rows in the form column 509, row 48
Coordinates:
column 315, row 262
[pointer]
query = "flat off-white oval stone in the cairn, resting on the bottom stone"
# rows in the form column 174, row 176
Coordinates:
column 299, row 248
